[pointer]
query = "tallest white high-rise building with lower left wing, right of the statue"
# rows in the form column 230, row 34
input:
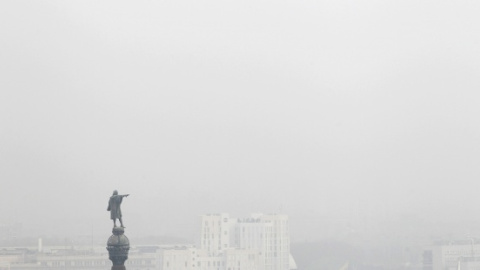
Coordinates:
column 260, row 242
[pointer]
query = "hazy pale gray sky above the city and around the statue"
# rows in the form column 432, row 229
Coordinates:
column 304, row 107
